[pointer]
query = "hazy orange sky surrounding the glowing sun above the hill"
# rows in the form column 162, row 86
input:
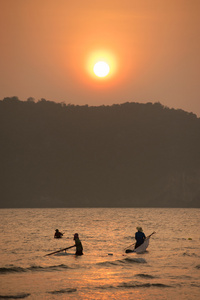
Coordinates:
column 48, row 49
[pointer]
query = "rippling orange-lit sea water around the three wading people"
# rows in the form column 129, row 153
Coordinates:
column 169, row 269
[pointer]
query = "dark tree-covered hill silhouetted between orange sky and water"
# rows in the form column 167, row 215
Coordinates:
column 125, row 155
